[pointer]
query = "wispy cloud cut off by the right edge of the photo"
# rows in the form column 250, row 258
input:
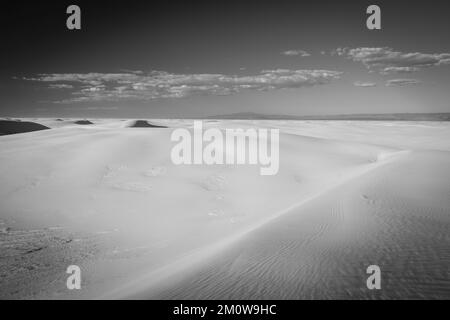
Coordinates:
column 387, row 61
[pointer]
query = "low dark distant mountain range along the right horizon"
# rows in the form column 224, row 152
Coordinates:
column 373, row 117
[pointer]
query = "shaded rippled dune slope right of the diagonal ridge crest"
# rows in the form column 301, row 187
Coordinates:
column 321, row 249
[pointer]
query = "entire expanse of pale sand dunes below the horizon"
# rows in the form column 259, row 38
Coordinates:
column 106, row 197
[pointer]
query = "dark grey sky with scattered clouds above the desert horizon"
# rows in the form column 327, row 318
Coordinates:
column 178, row 59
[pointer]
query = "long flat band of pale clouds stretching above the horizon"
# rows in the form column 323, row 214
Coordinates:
column 88, row 87
